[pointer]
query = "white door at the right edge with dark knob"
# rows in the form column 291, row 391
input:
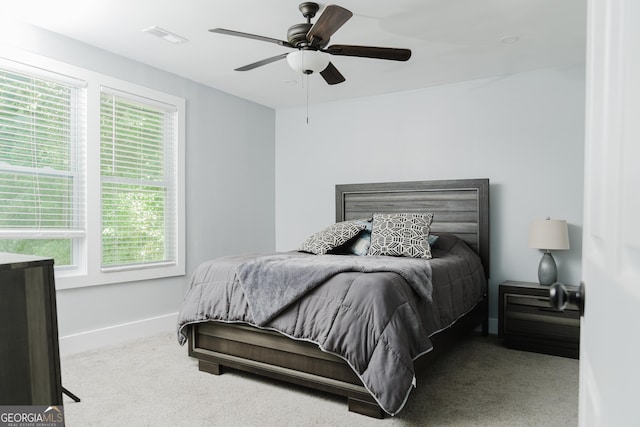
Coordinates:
column 610, row 348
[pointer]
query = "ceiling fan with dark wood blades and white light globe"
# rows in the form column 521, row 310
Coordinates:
column 311, row 40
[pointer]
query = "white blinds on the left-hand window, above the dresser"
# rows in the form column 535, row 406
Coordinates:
column 41, row 187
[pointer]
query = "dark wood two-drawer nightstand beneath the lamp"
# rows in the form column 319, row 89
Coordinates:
column 527, row 321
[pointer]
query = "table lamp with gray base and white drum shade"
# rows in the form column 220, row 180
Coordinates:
column 548, row 234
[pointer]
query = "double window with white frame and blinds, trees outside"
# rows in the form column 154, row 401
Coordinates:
column 91, row 173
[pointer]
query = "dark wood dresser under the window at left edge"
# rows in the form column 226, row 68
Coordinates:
column 29, row 354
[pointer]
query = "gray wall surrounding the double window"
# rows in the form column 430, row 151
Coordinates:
column 230, row 149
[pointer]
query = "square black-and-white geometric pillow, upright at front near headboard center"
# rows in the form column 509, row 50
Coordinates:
column 401, row 234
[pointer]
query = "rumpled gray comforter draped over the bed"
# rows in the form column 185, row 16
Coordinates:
column 379, row 322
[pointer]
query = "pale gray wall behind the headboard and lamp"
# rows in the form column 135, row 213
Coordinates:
column 523, row 132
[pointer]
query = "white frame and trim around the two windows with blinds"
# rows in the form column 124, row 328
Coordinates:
column 87, row 269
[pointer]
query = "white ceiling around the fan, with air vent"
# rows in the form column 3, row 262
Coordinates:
column 451, row 40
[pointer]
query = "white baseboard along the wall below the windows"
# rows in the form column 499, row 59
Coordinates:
column 91, row 340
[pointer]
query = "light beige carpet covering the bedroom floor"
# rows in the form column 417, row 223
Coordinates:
column 153, row 382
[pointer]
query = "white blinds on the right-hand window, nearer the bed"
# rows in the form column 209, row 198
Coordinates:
column 138, row 180
